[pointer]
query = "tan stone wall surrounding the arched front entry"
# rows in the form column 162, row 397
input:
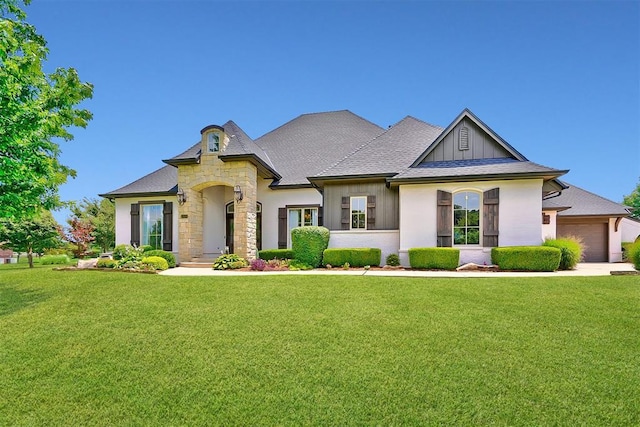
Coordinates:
column 212, row 171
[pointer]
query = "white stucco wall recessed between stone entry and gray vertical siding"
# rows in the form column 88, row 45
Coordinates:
column 273, row 199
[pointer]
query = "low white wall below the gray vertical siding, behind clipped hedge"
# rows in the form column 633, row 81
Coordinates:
column 387, row 241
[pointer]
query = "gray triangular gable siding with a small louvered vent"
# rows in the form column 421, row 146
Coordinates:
column 480, row 145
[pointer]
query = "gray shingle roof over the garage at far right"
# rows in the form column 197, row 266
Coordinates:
column 584, row 203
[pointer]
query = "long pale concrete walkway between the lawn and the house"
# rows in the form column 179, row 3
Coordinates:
column 584, row 269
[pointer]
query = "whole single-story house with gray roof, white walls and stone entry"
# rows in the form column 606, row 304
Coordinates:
column 411, row 185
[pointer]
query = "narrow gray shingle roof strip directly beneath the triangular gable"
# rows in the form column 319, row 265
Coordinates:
column 479, row 168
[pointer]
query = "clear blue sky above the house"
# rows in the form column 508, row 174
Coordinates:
column 560, row 81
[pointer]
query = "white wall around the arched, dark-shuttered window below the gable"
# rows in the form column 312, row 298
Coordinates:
column 520, row 220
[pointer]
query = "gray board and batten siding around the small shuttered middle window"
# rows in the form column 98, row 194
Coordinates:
column 386, row 200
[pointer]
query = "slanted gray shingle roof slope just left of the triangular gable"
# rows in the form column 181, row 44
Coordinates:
column 389, row 153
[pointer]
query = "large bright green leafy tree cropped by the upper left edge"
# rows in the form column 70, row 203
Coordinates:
column 35, row 109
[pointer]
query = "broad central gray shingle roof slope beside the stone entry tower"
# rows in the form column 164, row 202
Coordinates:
column 311, row 143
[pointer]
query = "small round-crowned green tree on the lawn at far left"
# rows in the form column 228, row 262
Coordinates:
column 33, row 235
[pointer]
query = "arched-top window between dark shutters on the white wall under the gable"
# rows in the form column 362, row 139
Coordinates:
column 466, row 218
